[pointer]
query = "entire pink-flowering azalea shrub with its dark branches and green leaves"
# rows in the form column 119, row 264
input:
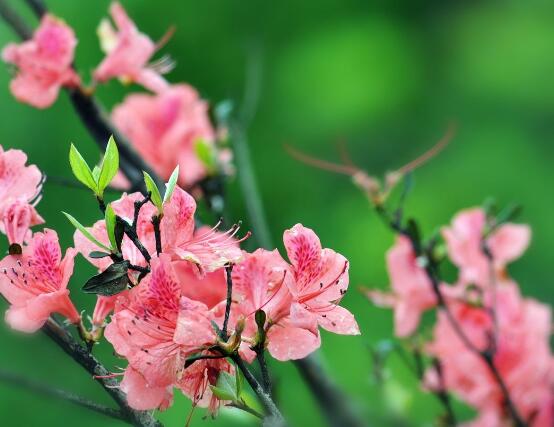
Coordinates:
column 189, row 310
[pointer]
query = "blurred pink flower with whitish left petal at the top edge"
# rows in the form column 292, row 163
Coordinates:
column 128, row 53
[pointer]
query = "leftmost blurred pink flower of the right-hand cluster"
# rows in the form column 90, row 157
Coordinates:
column 412, row 293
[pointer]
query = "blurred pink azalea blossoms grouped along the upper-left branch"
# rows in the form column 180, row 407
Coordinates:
column 168, row 124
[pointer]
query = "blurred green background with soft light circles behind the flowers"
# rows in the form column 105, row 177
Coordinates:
column 387, row 77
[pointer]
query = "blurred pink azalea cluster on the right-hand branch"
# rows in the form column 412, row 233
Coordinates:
column 483, row 321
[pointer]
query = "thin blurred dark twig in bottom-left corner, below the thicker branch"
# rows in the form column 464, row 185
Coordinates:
column 46, row 390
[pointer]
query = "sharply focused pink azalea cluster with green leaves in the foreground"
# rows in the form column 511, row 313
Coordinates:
column 176, row 301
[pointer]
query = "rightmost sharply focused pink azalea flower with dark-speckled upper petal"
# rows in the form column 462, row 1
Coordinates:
column 320, row 281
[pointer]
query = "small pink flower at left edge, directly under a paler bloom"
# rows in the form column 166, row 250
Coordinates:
column 18, row 218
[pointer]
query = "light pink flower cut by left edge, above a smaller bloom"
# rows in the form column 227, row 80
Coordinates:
column 18, row 182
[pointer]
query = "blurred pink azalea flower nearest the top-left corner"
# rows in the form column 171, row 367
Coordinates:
column 44, row 63
